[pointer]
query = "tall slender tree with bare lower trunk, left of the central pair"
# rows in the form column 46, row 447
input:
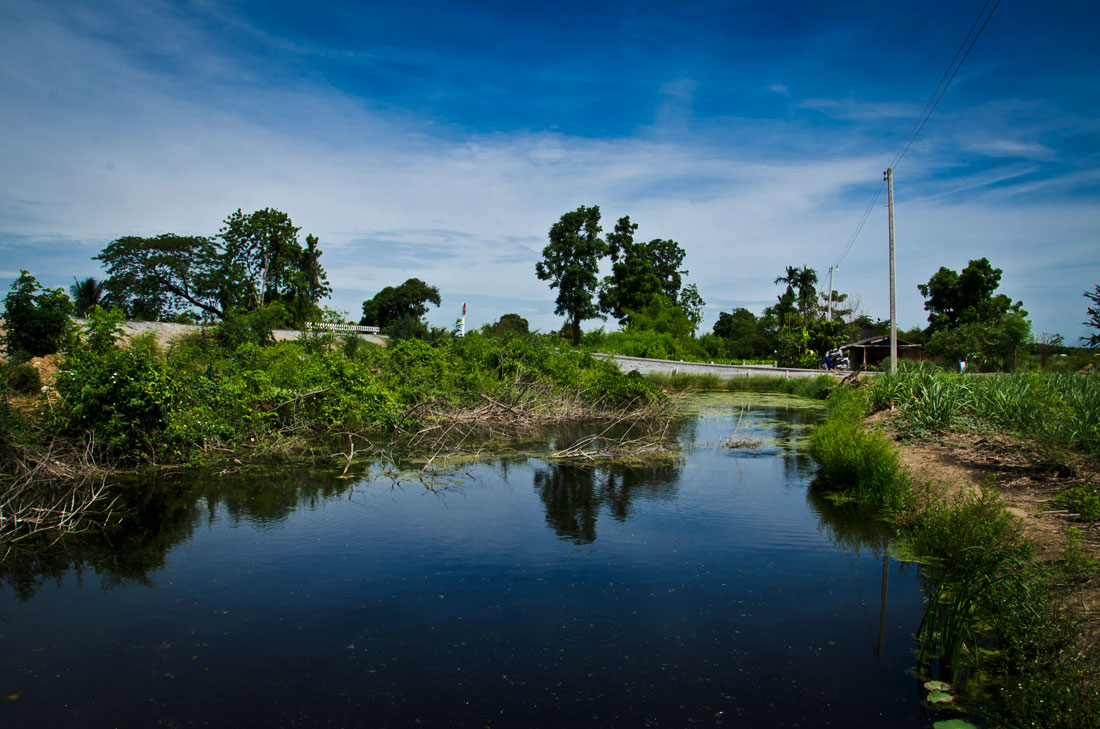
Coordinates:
column 571, row 264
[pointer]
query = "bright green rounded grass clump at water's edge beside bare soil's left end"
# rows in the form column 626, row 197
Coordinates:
column 856, row 461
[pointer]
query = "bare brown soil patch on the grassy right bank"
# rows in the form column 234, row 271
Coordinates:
column 1014, row 467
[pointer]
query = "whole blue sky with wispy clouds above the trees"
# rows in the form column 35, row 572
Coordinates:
column 443, row 140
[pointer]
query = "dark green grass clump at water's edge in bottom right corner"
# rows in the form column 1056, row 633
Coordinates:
column 994, row 622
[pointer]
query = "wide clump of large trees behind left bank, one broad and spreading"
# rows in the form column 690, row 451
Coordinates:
column 255, row 260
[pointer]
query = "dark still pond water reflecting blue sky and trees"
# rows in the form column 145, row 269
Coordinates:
column 716, row 592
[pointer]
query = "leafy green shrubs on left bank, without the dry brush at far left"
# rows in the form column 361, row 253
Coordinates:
column 212, row 394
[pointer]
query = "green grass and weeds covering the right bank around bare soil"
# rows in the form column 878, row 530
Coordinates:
column 997, row 623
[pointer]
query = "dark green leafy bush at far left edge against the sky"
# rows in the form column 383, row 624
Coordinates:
column 37, row 319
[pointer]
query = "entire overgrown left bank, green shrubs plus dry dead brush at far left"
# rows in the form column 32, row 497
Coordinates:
column 230, row 393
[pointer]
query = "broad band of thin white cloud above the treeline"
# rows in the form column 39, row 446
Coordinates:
column 97, row 146
